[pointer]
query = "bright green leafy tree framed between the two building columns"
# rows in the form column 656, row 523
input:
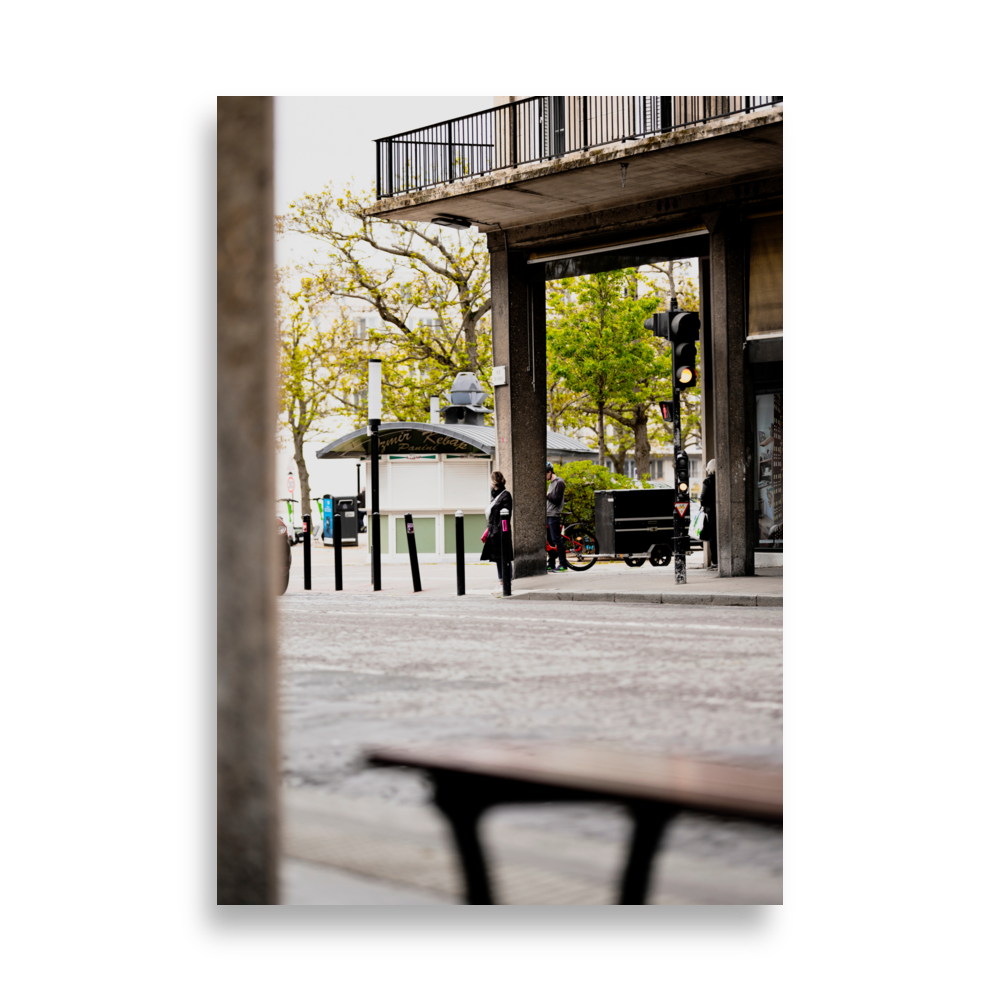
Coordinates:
column 597, row 346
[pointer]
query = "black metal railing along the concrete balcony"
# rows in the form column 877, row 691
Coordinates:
column 536, row 129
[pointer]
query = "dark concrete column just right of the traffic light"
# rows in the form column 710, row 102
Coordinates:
column 732, row 395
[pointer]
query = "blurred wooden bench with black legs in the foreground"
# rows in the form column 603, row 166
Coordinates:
column 469, row 778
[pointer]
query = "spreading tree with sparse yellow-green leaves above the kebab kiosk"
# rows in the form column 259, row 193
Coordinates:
column 398, row 270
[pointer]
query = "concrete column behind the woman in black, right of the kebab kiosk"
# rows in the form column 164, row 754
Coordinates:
column 519, row 345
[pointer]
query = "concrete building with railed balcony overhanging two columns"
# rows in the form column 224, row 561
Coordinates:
column 578, row 185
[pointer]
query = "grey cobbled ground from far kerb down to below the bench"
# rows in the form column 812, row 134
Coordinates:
column 372, row 668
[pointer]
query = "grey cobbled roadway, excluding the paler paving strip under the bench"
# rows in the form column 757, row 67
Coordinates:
column 363, row 668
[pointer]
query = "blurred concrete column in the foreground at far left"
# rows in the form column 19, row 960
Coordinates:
column 246, row 539
